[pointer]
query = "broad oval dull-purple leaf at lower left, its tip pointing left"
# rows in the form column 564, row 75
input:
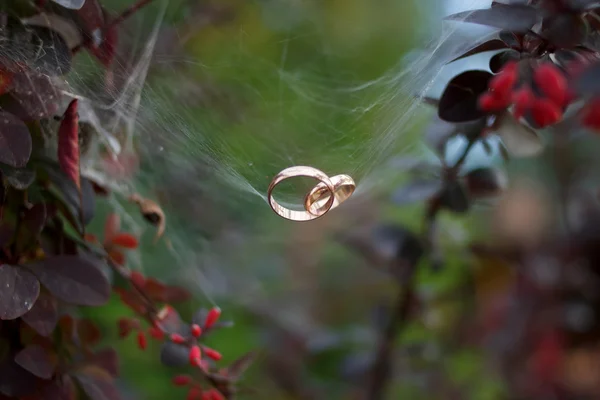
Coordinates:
column 73, row 279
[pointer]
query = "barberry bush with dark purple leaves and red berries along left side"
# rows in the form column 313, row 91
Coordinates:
column 51, row 266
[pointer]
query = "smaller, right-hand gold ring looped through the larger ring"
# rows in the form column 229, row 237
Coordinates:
column 318, row 198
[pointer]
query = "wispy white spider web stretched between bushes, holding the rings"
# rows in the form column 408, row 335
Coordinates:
column 211, row 135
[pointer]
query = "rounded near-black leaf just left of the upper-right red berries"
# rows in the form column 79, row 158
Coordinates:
column 459, row 102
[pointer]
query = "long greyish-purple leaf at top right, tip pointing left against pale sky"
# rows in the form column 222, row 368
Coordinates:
column 515, row 18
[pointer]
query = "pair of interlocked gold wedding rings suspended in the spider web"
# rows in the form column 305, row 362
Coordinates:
column 323, row 197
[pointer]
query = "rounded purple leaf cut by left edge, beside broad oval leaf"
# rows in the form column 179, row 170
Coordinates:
column 19, row 290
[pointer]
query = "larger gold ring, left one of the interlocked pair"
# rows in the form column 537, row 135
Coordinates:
column 325, row 187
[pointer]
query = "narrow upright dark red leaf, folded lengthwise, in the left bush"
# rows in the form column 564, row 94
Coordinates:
column 68, row 143
